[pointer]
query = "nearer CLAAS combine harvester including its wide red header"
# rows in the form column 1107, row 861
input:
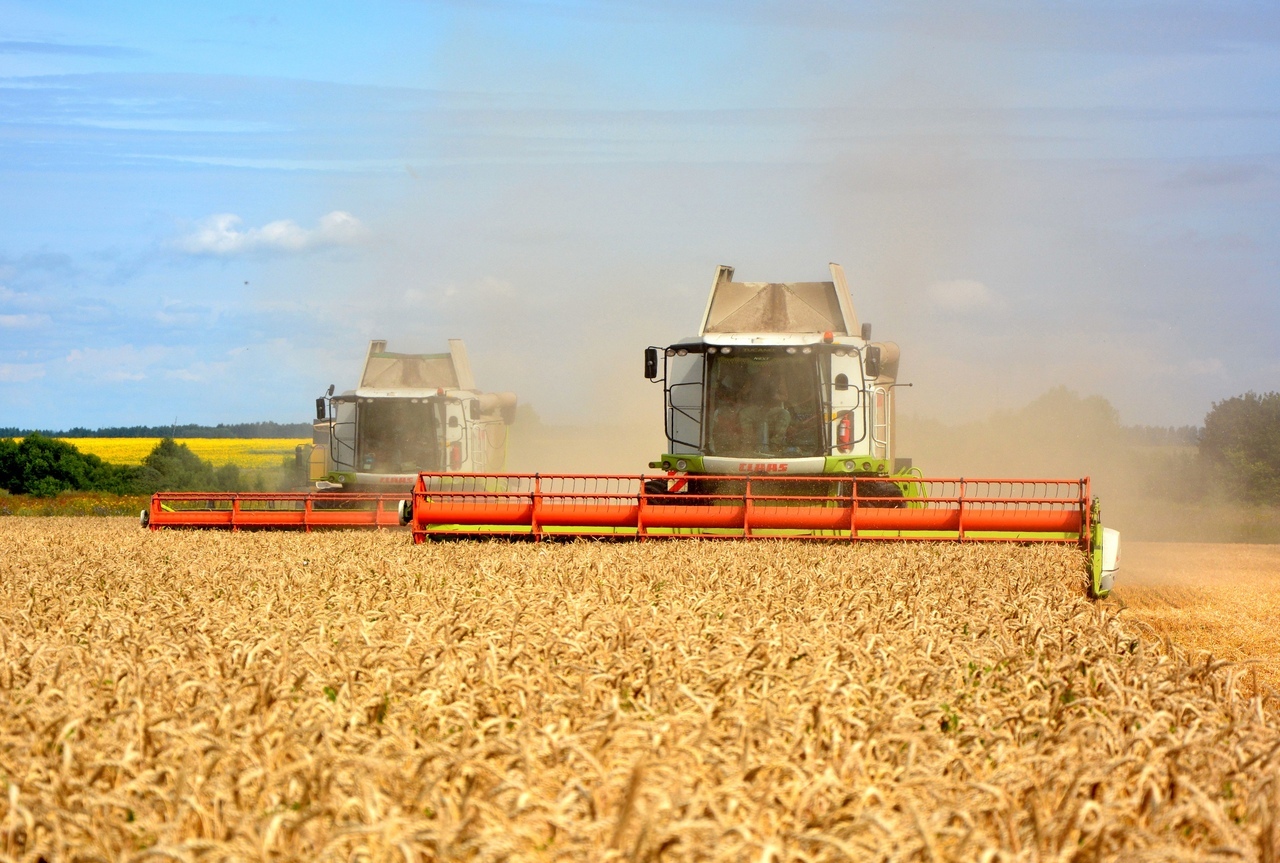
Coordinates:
column 780, row 424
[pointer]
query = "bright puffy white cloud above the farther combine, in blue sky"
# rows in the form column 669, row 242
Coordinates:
column 222, row 235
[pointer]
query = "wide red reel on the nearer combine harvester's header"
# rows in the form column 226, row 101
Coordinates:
column 820, row 508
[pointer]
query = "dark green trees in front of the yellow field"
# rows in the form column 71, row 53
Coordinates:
column 43, row 467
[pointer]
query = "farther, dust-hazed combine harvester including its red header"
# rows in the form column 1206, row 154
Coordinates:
column 412, row 413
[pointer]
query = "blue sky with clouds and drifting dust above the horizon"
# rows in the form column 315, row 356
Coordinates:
column 211, row 209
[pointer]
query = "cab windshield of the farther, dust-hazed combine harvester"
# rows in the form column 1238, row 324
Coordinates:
column 397, row 436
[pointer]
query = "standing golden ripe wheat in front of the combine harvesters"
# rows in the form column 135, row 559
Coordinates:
column 351, row 697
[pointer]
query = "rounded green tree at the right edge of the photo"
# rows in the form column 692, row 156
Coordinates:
column 1241, row 445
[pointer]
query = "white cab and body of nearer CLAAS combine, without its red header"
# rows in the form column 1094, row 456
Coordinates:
column 781, row 381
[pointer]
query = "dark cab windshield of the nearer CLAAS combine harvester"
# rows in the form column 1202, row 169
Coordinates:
column 764, row 404
